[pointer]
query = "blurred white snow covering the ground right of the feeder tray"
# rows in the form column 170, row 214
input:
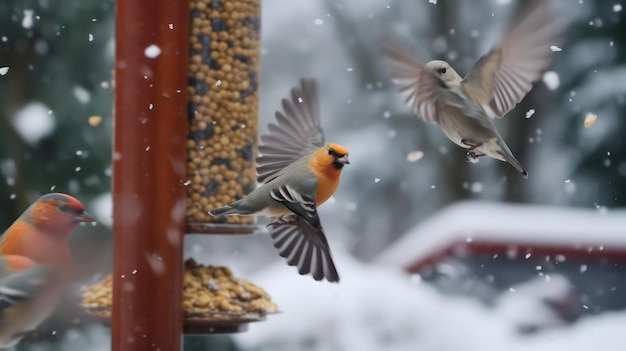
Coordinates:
column 381, row 308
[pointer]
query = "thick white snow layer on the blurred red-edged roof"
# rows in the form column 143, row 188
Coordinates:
column 496, row 223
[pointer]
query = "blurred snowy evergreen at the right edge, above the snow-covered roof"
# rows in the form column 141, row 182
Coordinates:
column 600, row 88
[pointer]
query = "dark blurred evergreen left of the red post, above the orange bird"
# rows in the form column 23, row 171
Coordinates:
column 59, row 53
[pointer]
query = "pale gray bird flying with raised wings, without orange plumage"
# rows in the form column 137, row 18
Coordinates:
column 464, row 108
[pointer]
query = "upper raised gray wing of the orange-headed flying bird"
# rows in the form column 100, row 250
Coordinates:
column 296, row 133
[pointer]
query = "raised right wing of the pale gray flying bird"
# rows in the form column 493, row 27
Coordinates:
column 501, row 78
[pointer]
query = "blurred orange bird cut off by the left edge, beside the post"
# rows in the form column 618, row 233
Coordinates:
column 35, row 262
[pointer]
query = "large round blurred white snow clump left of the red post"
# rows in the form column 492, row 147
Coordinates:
column 34, row 122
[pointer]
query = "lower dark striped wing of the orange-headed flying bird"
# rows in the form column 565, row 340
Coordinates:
column 304, row 246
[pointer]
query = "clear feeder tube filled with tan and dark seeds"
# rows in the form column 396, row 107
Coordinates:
column 223, row 92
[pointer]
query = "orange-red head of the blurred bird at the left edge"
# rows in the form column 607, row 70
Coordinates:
column 57, row 213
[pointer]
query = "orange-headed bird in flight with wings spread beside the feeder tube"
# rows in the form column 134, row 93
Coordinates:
column 299, row 173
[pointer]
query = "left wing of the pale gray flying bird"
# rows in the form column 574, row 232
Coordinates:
column 423, row 91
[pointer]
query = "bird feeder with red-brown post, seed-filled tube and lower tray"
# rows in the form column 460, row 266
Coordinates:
column 186, row 96
